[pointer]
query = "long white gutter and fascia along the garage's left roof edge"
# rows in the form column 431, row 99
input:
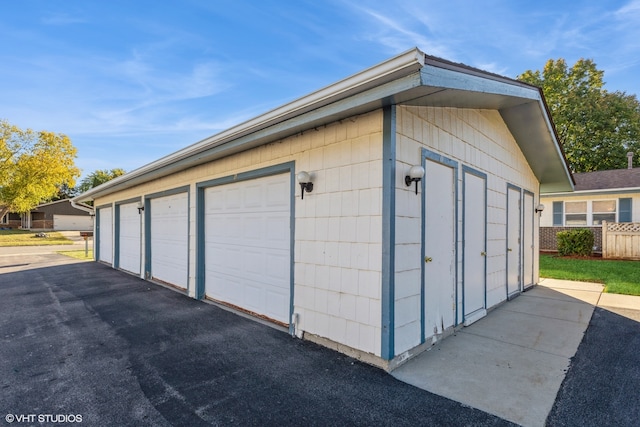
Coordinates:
column 387, row 71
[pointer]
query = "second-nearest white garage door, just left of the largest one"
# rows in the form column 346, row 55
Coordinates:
column 170, row 239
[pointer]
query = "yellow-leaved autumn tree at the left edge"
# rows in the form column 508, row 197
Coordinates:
column 33, row 166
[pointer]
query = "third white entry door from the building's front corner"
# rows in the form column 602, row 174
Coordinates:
column 513, row 242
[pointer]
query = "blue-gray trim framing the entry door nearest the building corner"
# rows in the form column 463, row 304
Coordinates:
column 438, row 158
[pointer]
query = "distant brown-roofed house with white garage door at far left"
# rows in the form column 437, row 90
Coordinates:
column 58, row 215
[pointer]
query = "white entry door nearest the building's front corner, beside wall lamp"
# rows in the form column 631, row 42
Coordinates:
column 439, row 248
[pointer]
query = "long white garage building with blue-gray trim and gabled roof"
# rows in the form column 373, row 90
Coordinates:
column 305, row 215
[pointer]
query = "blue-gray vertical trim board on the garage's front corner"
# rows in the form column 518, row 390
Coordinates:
column 387, row 350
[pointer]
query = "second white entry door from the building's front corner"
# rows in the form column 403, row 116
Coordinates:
column 475, row 247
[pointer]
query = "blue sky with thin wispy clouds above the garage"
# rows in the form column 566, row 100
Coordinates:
column 132, row 81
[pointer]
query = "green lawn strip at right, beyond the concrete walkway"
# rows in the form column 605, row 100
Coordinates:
column 619, row 277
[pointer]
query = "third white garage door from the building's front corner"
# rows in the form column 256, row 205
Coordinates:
column 129, row 238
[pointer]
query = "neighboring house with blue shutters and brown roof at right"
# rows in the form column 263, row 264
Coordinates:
column 612, row 196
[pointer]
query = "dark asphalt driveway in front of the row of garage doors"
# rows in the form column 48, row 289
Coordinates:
column 84, row 339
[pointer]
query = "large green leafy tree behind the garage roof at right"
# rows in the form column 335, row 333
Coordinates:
column 596, row 128
